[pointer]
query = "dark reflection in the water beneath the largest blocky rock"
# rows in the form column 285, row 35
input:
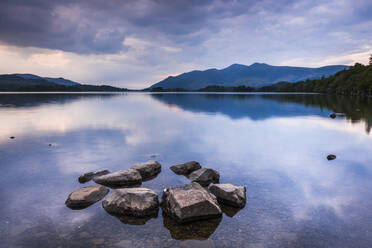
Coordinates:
column 198, row 230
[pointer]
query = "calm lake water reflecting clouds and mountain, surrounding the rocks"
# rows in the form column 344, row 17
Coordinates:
column 275, row 145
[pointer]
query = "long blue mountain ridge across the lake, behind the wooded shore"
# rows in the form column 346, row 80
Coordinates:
column 255, row 75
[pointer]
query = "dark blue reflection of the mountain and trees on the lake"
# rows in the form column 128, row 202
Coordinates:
column 258, row 107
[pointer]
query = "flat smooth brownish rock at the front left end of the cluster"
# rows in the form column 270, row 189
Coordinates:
column 86, row 196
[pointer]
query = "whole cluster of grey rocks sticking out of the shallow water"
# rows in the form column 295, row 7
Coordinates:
column 196, row 201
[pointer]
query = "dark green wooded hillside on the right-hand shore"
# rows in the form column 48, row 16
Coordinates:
column 357, row 80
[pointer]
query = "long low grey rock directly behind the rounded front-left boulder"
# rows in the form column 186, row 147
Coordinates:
column 121, row 178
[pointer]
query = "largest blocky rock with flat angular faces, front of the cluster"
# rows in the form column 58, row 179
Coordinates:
column 190, row 202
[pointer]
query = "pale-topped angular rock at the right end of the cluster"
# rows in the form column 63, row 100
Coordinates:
column 229, row 194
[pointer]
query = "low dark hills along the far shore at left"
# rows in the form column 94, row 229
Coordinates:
column 29, row 82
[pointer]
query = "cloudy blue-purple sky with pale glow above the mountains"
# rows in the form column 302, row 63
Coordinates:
column 135, row 43
